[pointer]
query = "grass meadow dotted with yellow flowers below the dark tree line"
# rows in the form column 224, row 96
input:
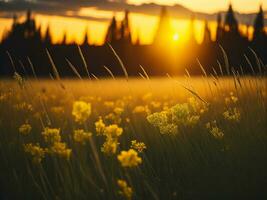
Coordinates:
column 162, row 138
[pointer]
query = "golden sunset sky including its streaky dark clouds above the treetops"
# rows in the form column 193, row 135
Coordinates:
column 75, row 20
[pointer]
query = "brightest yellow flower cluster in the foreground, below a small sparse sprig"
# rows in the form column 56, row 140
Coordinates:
column 129, row 158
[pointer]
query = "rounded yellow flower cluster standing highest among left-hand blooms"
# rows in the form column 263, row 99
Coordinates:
column 81, row 111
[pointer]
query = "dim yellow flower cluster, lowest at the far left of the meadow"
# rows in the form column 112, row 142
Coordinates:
column 37, row 152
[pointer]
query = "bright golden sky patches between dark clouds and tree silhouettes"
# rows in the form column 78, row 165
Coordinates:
column 142, row 25
